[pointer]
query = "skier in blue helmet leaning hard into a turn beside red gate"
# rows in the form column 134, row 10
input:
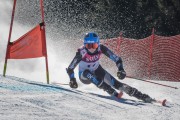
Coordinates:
column 90, row 70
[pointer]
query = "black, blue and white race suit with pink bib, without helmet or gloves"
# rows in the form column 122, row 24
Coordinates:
column 90, row 71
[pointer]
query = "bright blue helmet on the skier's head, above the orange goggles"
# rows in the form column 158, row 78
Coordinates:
column 91, row 38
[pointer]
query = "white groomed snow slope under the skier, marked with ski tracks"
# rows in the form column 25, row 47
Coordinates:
column 22, row 99
